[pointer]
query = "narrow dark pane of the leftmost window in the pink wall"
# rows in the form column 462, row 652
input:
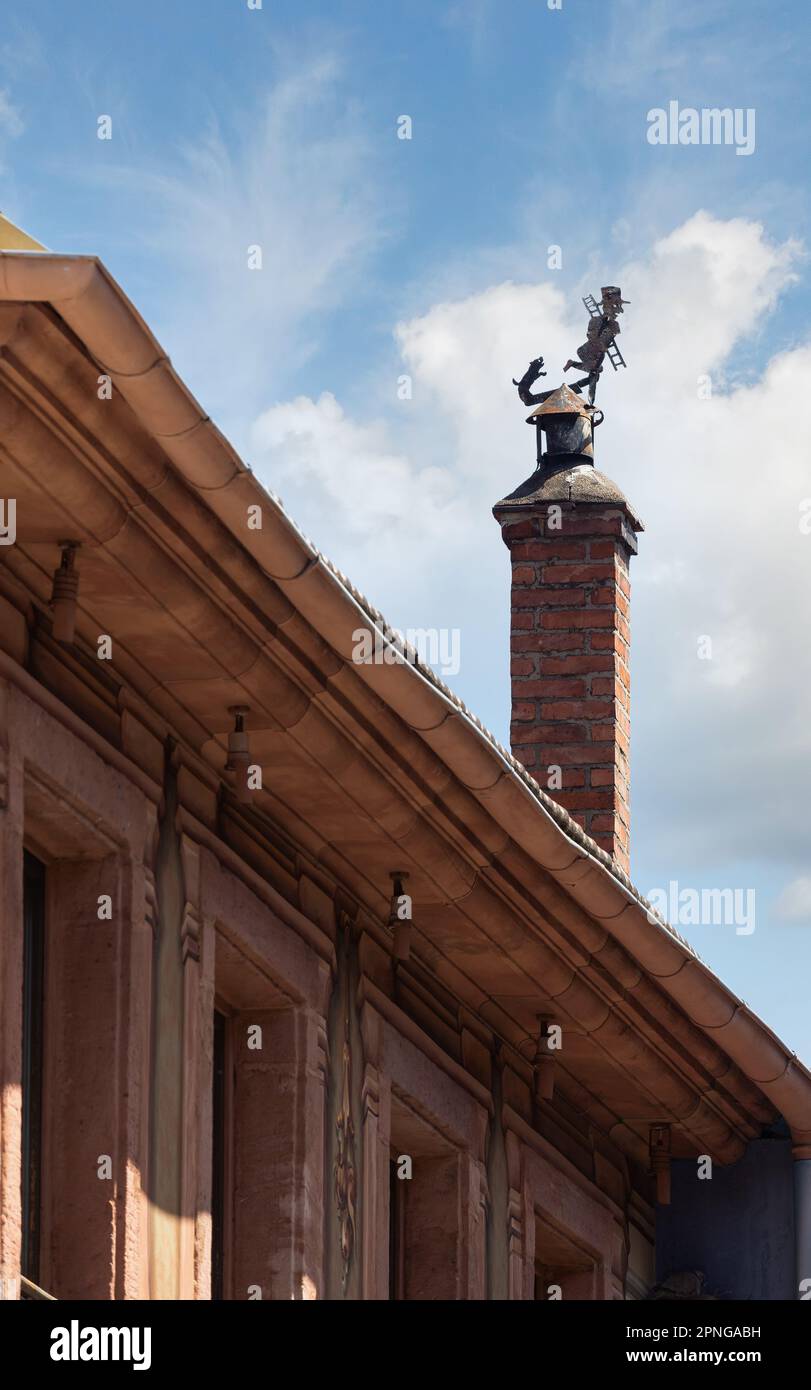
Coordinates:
column 33, row 1054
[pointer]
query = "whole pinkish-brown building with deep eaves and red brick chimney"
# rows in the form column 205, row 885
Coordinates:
column 308, row 989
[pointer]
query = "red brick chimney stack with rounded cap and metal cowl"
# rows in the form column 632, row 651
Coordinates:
column 571, row 534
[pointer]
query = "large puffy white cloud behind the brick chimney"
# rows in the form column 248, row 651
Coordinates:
column 718, row 483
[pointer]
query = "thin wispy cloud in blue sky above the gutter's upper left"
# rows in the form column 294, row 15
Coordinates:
column 289, row 174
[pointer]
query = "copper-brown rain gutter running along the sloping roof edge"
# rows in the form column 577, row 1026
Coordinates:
column 98, row 312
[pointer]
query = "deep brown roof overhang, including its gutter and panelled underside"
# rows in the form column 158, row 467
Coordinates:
column 372, row 767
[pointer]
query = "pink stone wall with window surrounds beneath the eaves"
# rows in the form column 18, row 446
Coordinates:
column 94, row 822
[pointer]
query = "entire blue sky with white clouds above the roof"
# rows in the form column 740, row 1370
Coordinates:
column 298, row 259
